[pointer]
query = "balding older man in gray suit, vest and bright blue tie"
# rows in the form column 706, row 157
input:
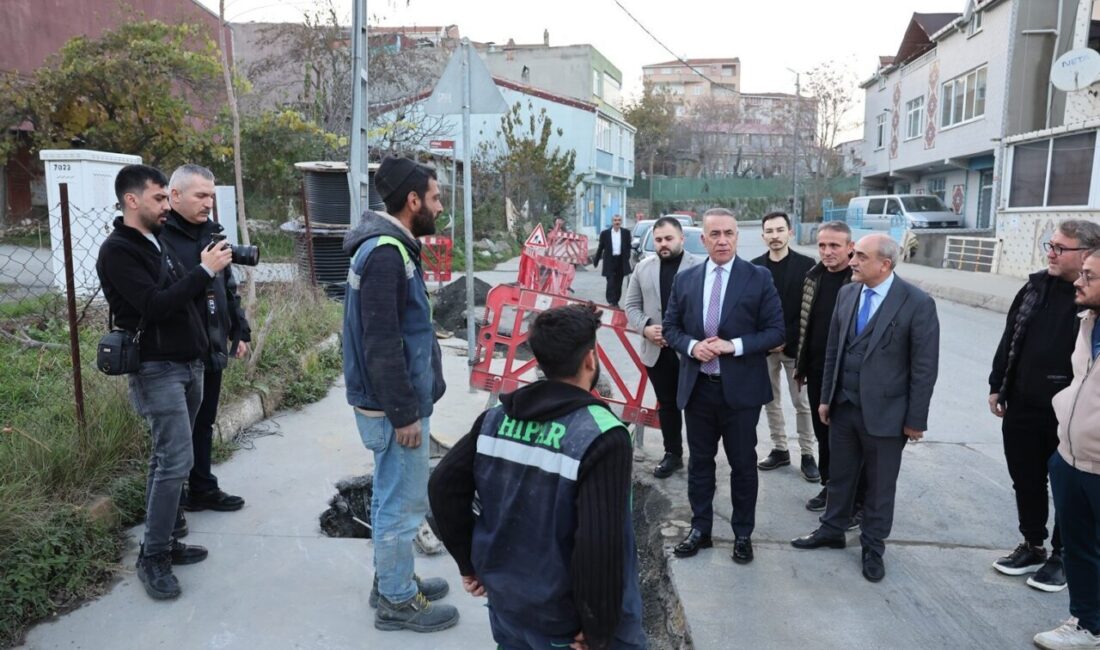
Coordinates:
column 881, row 368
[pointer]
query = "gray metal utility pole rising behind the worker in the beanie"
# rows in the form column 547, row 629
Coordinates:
column 358, row 159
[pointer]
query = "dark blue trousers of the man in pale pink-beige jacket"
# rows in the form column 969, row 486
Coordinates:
column 1077, row 512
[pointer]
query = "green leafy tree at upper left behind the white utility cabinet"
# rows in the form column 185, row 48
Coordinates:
column 146, row 89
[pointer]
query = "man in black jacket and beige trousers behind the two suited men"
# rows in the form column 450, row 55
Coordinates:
column 788, row 271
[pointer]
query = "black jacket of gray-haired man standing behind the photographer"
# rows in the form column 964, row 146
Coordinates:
column 186, row 241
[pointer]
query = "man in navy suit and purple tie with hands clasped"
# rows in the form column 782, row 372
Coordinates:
column 723, row 318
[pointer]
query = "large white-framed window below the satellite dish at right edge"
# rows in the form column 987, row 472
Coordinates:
column 1053, row 173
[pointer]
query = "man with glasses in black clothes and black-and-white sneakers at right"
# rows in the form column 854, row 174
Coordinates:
column 1032, row 363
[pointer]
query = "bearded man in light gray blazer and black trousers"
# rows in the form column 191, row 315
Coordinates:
column 646, row 298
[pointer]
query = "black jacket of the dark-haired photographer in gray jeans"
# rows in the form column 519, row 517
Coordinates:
column 129, row 269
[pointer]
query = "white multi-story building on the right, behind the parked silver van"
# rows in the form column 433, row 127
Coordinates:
column 966, row 112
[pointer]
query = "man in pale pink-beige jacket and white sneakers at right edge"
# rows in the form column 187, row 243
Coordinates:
column 1075, row 476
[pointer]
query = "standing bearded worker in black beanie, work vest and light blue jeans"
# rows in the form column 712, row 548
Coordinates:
column 394, row 376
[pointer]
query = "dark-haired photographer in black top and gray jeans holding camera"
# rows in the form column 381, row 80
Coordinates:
column 150, row 292
